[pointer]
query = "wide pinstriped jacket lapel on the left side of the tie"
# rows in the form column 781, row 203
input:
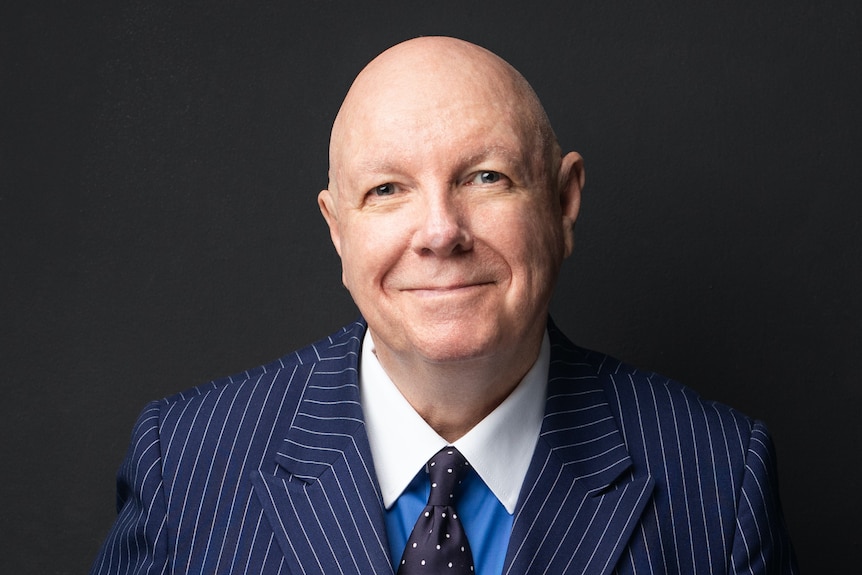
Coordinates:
column 323, row 501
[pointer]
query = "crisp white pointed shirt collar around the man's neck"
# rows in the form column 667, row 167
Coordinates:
column 499, row 447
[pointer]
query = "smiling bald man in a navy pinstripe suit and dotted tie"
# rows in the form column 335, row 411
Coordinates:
column 452, row 209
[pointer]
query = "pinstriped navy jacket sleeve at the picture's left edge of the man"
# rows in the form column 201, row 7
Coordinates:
column 137, row 542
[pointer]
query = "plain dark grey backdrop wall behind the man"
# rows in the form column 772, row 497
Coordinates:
column 160, row 165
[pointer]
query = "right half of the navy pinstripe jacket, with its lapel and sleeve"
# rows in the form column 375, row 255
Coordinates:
column 665, row 481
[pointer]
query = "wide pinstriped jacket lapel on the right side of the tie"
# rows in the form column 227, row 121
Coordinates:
column 581, row 499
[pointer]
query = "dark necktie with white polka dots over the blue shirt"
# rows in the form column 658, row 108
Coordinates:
column 438, row 544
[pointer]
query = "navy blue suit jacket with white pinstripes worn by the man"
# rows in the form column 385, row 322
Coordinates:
column 270, row 472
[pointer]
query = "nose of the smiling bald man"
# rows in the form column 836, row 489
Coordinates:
column 442, row 229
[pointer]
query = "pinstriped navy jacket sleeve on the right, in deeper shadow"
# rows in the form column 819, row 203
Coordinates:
column 761, row 543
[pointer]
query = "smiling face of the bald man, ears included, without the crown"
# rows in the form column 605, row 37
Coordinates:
column 450, row 221
